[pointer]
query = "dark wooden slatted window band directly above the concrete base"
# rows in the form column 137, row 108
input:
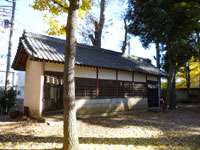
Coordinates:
column 108, row 88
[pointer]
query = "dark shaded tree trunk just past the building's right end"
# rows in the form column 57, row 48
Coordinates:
column 171, row 91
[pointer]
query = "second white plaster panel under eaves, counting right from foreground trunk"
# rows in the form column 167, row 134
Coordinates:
column 107, row 74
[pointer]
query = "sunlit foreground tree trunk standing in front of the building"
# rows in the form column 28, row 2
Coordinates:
column 70, row 141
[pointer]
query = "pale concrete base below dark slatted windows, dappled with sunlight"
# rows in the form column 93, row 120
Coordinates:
column 111, row 105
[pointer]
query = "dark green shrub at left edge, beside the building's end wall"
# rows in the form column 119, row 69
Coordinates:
column 7, row 100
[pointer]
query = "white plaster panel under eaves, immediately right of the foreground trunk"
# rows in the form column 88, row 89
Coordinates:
column 85, row 72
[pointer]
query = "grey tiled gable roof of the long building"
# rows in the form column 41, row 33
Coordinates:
column 45, row 48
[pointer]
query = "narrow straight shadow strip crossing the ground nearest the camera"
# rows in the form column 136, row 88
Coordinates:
column 185, row 141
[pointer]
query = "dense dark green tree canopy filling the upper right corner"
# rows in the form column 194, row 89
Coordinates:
column 173, row 24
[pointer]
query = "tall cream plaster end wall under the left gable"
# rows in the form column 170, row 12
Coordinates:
column 34, row 81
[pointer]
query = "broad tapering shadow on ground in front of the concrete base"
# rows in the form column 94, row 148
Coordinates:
column 187, row 118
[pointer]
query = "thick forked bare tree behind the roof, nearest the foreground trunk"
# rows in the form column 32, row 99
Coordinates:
column 94, row 25
